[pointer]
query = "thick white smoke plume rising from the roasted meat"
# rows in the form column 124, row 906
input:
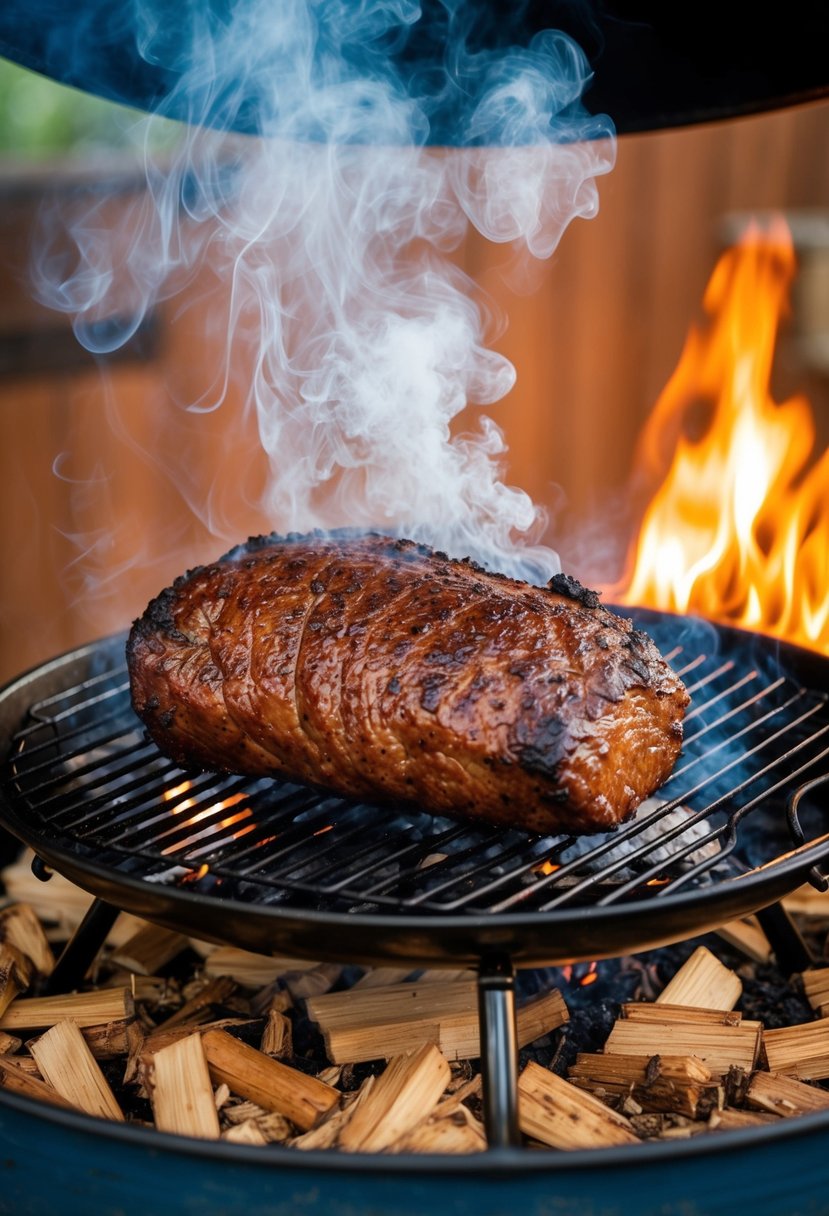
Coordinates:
column 332, row 227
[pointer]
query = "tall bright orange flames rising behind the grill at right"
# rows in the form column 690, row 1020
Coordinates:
column 738, row 531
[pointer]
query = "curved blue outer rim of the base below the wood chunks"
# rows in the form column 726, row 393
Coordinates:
column 59, row 1161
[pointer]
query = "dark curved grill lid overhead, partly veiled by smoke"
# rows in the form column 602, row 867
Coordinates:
column 653, row 65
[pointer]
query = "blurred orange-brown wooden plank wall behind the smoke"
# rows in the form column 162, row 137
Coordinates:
column 99, row 466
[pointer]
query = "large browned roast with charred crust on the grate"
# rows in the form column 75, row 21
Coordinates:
column 384, row 671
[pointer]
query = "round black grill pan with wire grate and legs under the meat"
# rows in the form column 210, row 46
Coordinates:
column 281, row 869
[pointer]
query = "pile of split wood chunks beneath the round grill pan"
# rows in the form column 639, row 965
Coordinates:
column 212, row 1055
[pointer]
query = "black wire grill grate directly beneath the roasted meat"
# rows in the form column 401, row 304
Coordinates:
column 82, row 774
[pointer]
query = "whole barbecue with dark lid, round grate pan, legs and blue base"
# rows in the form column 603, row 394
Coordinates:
column 278, row 869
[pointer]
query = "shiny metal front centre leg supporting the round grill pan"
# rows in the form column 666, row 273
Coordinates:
column 499, row 1051
